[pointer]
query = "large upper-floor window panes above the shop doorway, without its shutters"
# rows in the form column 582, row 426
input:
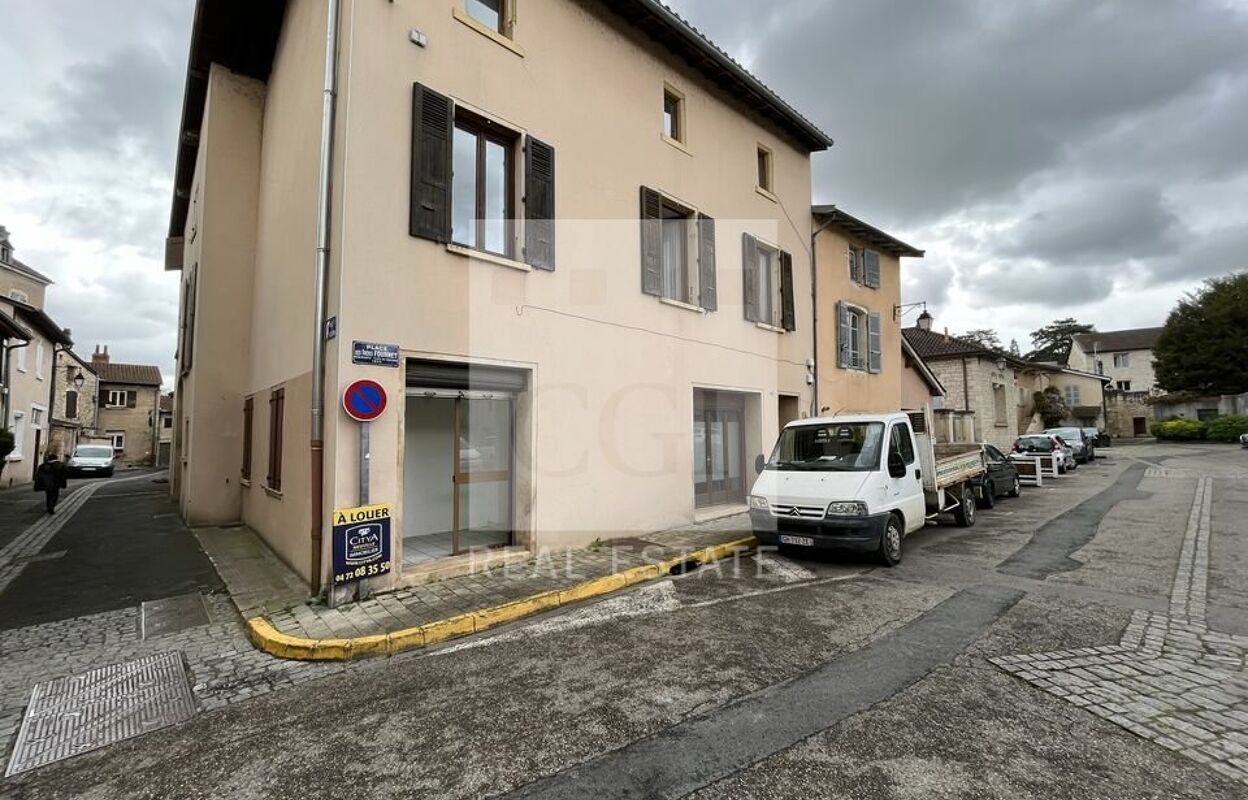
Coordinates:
column 484, row 185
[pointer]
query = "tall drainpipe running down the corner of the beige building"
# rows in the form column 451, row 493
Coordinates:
column 323, row 279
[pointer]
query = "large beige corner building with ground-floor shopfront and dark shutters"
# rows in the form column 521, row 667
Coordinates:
column 571, row 270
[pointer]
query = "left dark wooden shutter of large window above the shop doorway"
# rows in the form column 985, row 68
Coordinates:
column 432, row 120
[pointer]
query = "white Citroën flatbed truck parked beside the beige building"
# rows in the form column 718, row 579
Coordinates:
column 859, row 482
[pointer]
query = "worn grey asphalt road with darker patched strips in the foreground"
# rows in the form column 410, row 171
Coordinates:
column 781, row 678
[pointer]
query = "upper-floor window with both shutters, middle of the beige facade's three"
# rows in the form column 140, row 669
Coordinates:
column 678, row 251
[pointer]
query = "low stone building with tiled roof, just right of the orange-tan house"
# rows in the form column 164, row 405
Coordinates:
column 982, row 386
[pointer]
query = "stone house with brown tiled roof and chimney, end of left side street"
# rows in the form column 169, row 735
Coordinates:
column 128, row 407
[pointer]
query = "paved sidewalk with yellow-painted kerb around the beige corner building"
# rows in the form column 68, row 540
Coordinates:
column 260, row 582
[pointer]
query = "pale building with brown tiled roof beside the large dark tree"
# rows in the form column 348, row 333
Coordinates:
column 1126, row 358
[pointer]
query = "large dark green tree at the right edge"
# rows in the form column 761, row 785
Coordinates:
column 1204, row 348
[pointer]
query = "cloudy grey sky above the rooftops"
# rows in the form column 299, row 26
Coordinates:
column 1058, row 158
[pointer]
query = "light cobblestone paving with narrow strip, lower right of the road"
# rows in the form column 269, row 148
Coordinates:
column 1171, row 680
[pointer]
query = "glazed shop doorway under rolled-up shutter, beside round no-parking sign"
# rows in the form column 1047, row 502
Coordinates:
column 457, row 474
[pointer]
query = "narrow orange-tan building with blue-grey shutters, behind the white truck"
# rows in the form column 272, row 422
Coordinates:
column 858, row 314
